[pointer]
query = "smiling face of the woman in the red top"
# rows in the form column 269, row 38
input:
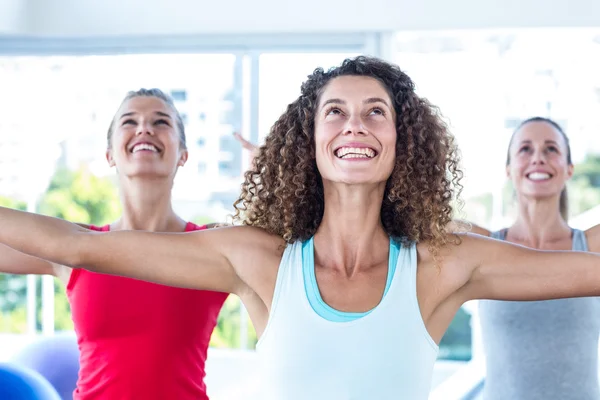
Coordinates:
column 145, row 140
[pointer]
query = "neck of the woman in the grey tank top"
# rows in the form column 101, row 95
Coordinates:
column 539, row 221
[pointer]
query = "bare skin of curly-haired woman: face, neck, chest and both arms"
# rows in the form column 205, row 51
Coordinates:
column 351, row 246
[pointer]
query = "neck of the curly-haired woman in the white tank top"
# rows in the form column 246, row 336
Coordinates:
column 351, row 234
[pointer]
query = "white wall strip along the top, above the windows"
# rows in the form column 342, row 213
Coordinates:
column 73, row 18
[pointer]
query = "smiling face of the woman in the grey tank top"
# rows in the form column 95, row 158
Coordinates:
column 539, row 160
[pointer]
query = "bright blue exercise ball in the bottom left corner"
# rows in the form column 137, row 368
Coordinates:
column 21, row 383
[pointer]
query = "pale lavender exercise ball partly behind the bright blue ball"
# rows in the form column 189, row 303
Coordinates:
column 56, row 358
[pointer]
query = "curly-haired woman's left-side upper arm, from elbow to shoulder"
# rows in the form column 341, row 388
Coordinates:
column 209, row 259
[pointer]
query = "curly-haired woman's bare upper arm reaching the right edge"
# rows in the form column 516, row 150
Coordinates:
column 505, row 271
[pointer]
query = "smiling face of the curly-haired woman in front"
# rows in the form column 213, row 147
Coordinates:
column 355, row 131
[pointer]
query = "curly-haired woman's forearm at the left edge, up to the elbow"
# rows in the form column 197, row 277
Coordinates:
column 40, row 236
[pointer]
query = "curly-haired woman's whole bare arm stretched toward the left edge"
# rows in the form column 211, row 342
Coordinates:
column 200, row 260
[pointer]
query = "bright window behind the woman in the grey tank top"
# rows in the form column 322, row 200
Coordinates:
column 485, row 83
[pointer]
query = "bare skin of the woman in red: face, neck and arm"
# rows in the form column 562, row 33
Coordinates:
column 145, row 180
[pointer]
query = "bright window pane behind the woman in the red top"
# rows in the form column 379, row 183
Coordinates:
column 56, row 113
